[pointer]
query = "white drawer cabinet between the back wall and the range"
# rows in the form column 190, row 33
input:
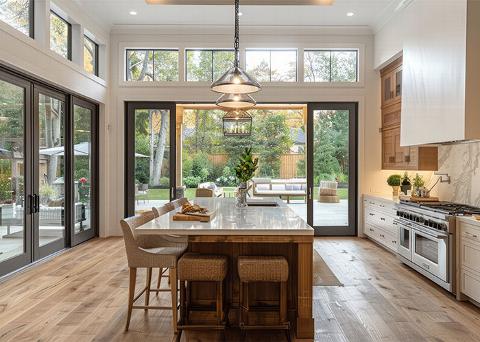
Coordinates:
column 379, row 221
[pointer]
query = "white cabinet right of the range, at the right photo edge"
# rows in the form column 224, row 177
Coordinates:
column 468, row 256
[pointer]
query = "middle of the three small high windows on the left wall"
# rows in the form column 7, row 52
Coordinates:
column 60, row 36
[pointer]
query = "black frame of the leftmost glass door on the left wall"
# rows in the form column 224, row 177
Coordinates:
column 25, row 258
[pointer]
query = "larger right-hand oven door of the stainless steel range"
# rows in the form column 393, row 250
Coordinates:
column 430, row 252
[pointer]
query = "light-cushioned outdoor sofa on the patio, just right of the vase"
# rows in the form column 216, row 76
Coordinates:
column 283, row 188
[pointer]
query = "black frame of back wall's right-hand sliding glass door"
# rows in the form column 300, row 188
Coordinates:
column 352, row 107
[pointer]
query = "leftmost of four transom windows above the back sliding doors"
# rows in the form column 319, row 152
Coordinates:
column 151, row 65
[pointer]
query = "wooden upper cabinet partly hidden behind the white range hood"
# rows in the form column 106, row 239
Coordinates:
column 395, row 156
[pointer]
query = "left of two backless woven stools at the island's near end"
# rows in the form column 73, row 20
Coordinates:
column 193, row 267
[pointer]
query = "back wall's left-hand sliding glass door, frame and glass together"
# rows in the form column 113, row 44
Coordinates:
column 150, row 155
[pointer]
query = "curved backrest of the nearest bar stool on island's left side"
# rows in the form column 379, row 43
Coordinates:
column 128, row 228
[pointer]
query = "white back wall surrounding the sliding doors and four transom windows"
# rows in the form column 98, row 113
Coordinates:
column 276, row 37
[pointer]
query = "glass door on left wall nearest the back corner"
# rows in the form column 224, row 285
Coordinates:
column 84, row 166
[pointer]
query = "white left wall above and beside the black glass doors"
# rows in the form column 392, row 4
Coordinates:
column 33, row 57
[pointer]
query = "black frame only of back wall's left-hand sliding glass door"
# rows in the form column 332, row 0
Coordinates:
column 130, row 108
